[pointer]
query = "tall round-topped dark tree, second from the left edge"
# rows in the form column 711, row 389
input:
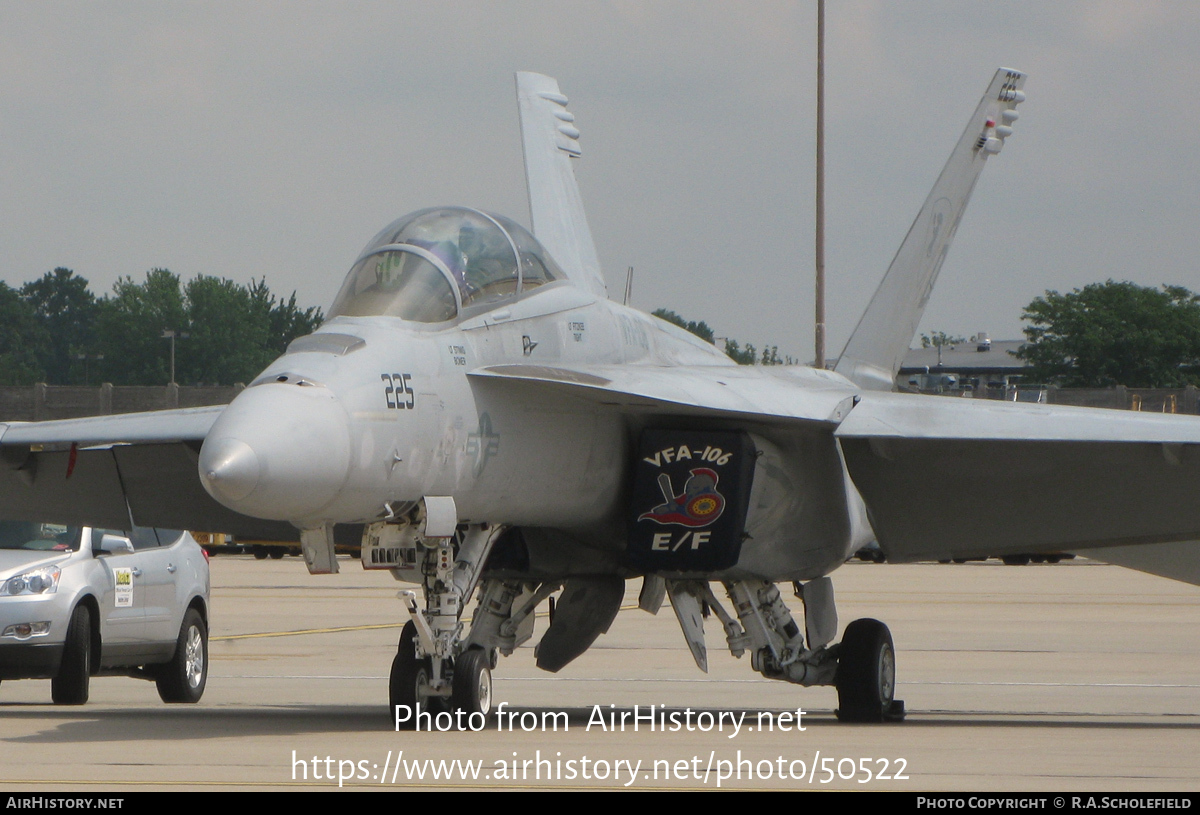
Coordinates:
column 67, row 310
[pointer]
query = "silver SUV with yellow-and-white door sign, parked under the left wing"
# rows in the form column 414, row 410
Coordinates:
column 80, row 602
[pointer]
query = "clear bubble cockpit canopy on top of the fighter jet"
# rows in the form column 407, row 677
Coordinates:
column 431, row 266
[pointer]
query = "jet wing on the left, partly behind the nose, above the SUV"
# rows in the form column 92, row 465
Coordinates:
column 116, row 471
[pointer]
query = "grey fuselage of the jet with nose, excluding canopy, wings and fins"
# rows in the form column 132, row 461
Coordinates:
column 377, row 412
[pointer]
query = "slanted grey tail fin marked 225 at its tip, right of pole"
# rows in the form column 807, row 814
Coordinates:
column 878, row 347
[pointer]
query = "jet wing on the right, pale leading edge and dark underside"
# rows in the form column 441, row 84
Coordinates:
column 947, row 478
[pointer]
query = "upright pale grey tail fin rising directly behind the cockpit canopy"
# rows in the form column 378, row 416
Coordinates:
column 551, row 140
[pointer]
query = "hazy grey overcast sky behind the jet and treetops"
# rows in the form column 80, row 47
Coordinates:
column 274, row 140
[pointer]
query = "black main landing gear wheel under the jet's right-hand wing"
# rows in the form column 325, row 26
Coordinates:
column 867, row 673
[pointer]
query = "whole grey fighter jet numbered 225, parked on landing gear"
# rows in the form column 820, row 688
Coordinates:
column 491, row 427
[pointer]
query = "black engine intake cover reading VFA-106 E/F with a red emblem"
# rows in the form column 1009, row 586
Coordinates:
column 692, row 490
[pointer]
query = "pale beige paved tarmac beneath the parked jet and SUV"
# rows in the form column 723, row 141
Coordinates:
column 1077, row 676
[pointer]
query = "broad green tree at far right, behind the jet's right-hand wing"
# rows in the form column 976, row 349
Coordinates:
column 1115, row 334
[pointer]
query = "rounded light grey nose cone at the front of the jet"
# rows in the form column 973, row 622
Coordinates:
column 279, row 452
